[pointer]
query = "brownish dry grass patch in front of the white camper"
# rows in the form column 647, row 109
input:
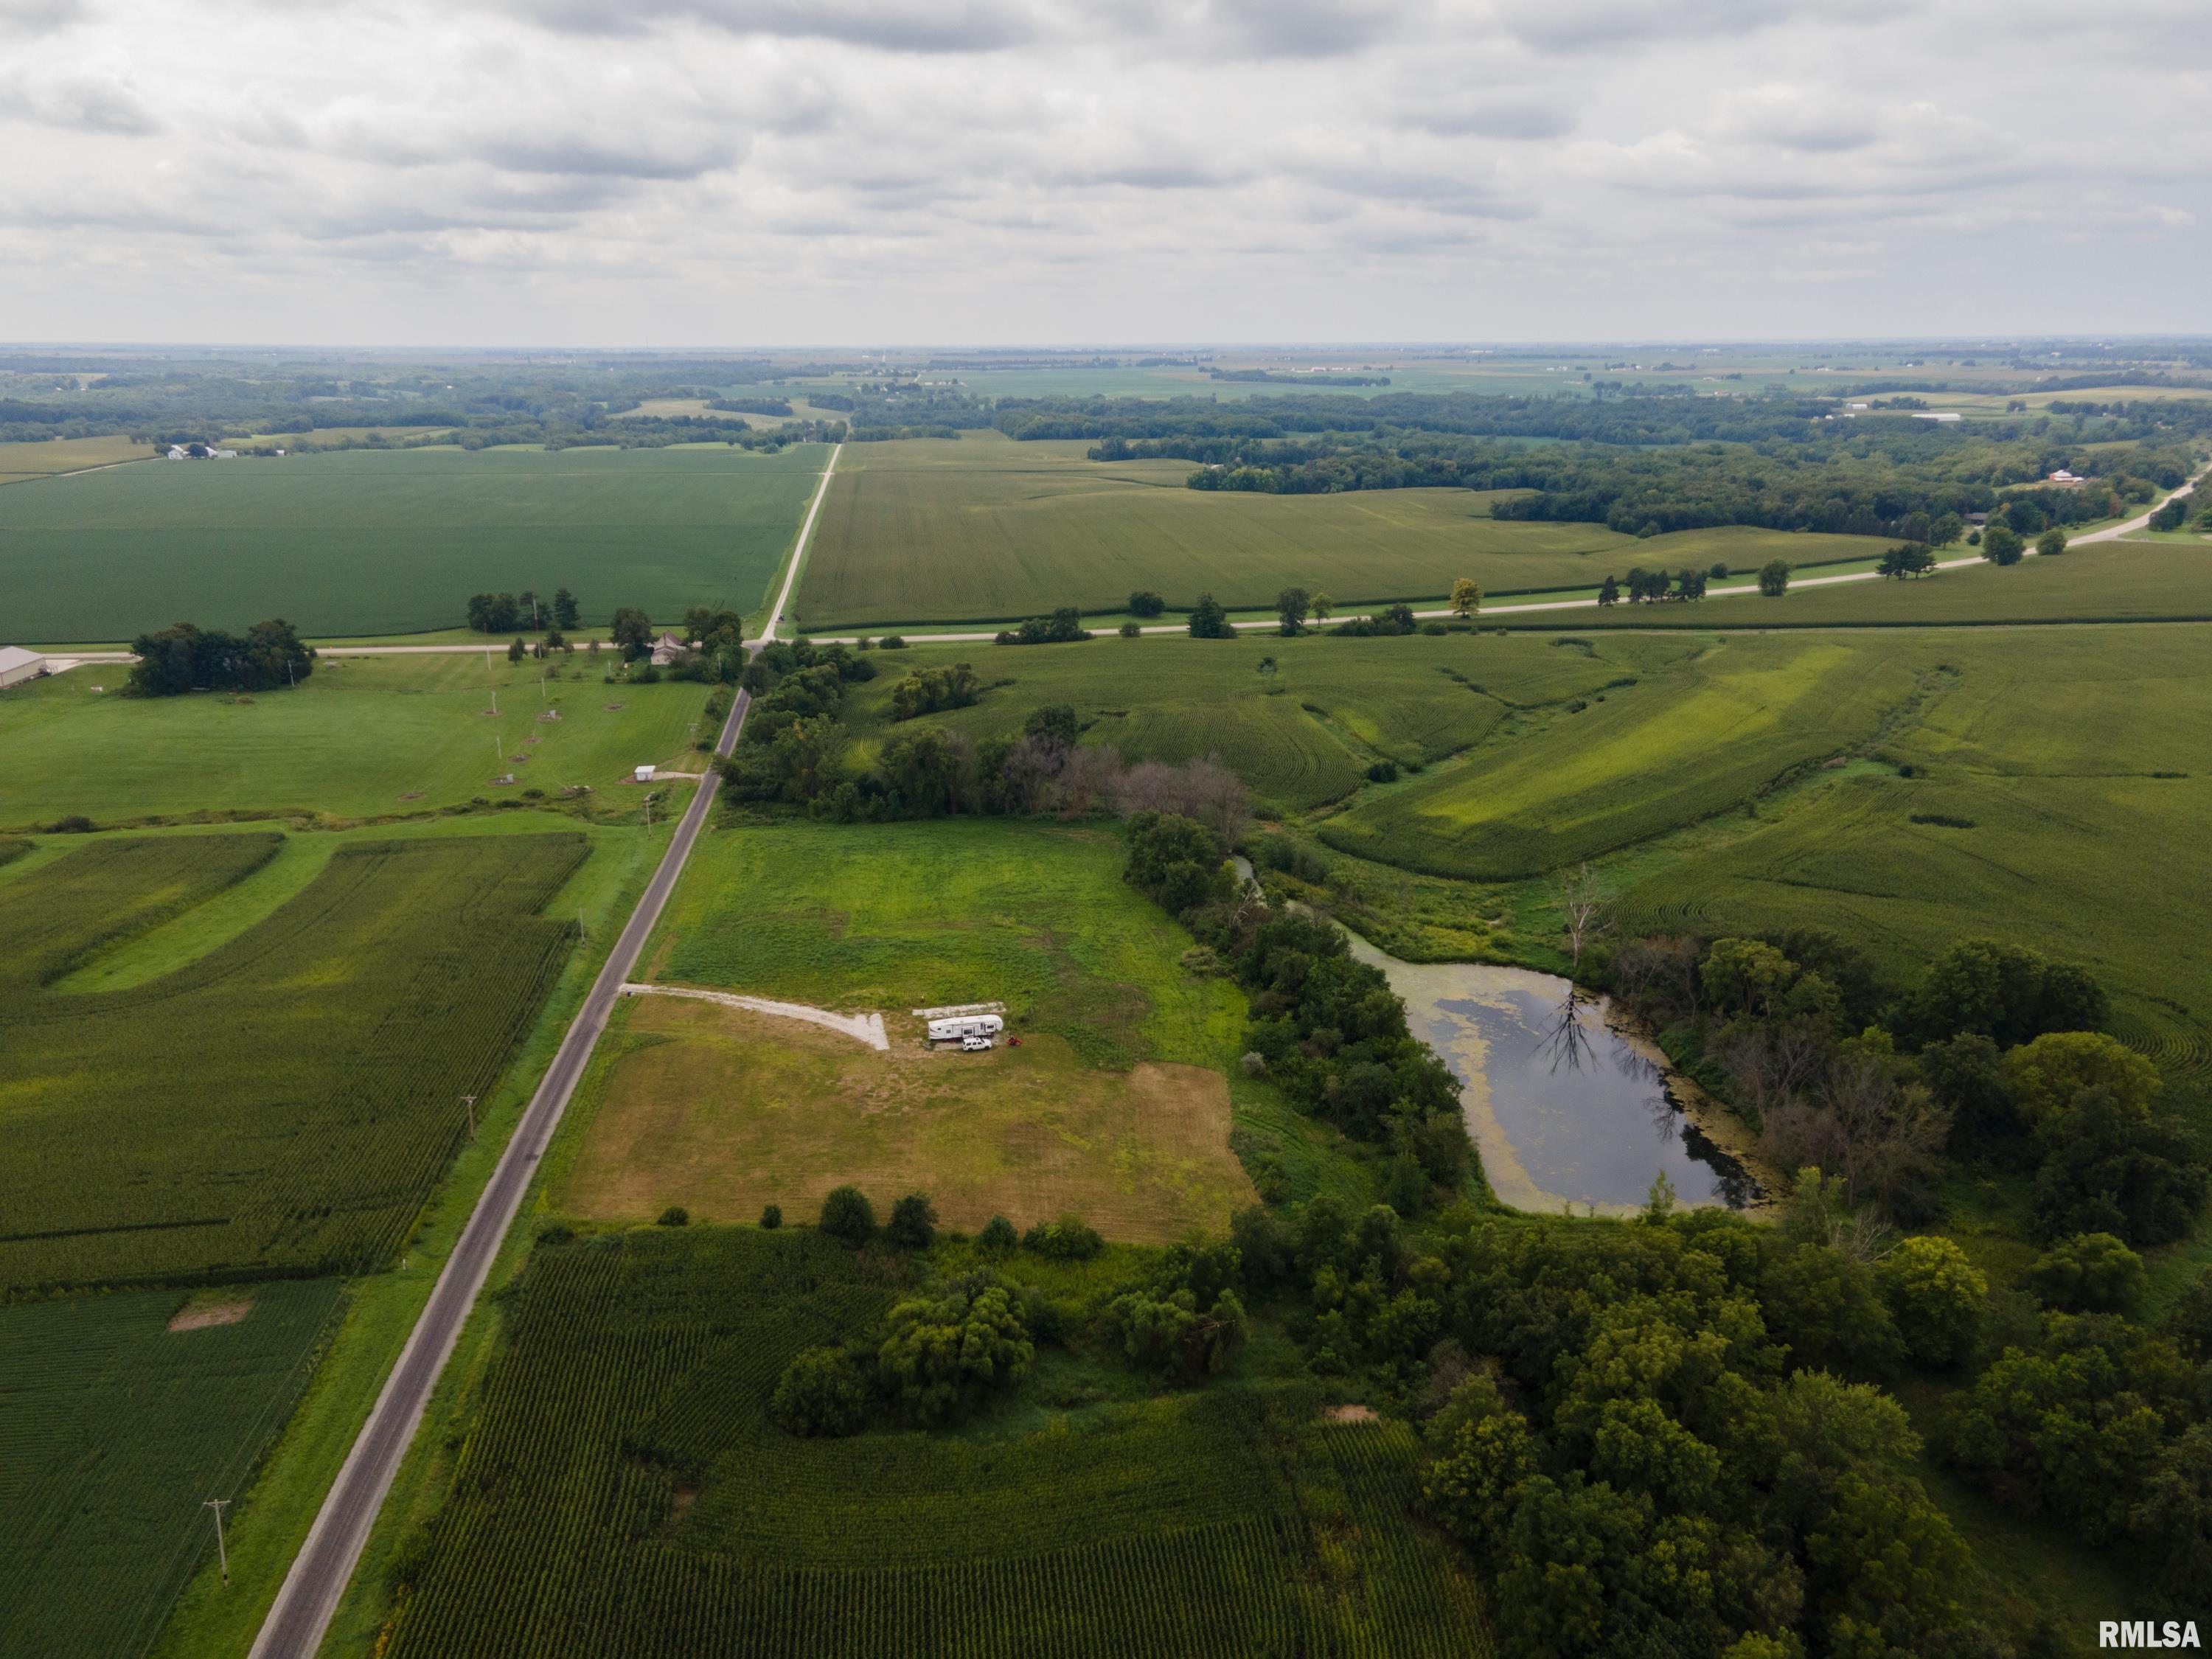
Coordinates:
column 727, row 1112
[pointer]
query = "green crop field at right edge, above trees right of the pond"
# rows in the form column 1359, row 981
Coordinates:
column 2060, row 800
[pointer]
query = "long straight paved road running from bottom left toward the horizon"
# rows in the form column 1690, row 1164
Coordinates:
column 324, row 1565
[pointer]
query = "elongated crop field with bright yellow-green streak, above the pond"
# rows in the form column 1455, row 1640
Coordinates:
column 1689, row 740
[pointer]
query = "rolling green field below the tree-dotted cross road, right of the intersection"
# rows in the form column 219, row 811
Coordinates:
column 1302, row 735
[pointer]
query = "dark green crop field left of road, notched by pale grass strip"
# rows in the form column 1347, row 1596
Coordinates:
column 273, row 1103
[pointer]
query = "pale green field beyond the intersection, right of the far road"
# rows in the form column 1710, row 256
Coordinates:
column 985, row 530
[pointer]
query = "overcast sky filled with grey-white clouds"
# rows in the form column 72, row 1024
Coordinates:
column 1027, row 171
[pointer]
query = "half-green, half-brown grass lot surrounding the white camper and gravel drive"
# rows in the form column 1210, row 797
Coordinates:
column 1116, row 1105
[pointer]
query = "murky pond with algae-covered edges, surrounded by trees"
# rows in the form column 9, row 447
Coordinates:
column 1565, row 1107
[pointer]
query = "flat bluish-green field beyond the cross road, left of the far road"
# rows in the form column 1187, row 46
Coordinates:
column 366, row 543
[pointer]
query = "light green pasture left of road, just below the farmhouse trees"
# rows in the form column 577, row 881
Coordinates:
column 359, row 738
